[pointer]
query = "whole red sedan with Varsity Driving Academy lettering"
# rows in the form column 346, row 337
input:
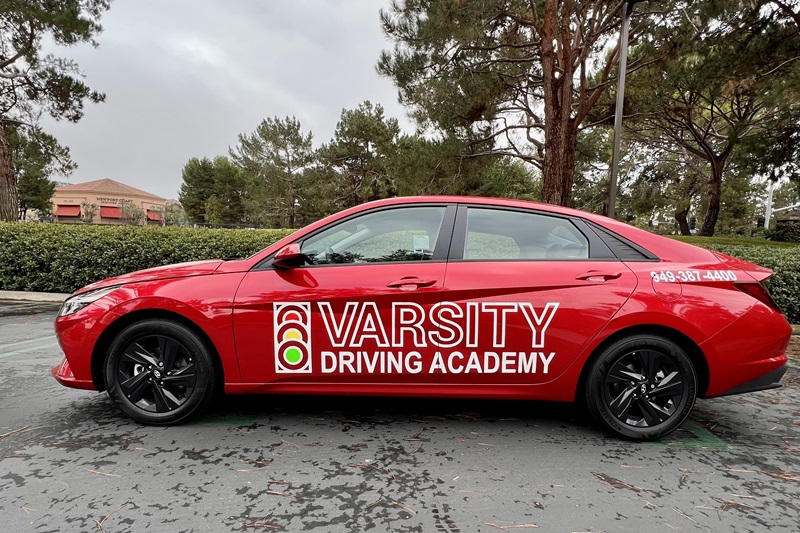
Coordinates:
column 438, row 296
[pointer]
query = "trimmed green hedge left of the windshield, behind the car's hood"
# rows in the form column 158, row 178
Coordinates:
column 65, row 257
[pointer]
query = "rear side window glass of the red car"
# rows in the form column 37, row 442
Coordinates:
column 496, row 234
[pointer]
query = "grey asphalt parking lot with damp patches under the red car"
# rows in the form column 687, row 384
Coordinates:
column 70, row 461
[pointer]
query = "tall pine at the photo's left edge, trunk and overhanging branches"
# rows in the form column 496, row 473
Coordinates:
column 32, row 83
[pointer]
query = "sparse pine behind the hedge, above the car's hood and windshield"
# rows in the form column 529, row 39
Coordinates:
column 276, row 155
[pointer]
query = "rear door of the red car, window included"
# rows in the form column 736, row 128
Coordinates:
column 534, row 287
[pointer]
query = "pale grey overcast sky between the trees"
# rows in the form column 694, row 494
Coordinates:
column 184, row 77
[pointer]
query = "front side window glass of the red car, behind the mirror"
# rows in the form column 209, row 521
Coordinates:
column 401, row 234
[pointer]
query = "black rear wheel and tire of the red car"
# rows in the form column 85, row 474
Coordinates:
column 641, row 387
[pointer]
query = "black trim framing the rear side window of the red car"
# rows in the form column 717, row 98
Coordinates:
column 598, row 249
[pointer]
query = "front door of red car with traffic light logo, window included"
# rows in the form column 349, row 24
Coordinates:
column 357, row 312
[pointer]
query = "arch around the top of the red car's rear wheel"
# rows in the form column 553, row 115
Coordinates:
column 687, row 344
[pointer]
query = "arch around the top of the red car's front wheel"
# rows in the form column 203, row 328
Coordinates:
column 103, row 343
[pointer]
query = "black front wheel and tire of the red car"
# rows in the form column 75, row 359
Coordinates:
column 160, row 372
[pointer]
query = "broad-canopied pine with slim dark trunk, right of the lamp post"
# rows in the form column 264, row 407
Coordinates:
column 722, row 80
